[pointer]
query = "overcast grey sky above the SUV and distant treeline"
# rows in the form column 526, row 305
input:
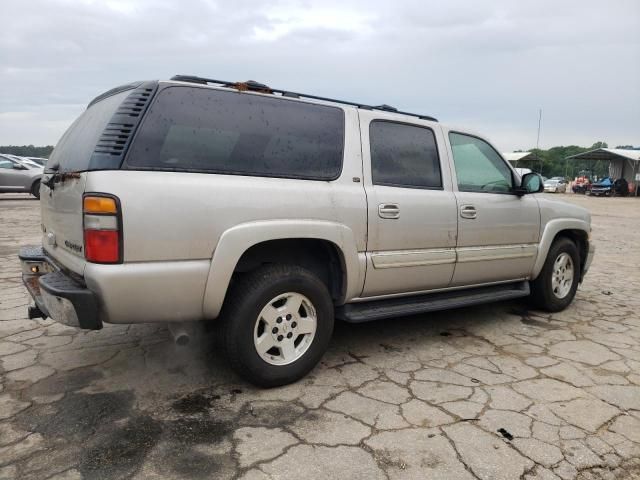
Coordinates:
column 487, row 65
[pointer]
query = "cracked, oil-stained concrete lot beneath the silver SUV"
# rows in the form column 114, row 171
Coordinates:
column 496, row 392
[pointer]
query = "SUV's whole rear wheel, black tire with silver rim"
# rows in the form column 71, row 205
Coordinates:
column 260, row 308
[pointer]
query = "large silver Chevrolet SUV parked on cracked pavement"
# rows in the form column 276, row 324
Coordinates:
column 271, row 212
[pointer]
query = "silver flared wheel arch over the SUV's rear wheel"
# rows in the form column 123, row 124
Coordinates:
column 247, row 246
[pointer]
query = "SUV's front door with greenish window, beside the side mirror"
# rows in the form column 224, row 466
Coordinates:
column 498, row 231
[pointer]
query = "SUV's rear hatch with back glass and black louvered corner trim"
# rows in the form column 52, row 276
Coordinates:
column 97, row 140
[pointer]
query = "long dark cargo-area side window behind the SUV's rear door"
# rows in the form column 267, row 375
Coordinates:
column 204, row 130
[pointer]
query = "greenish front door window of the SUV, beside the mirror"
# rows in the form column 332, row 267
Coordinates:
column 479, row 168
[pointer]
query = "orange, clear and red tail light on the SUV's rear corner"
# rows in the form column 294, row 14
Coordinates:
column 102, row 228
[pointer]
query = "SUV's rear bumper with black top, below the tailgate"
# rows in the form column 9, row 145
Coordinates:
column 55, row 293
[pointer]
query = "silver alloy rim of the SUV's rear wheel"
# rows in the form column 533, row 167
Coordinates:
column 285, row 328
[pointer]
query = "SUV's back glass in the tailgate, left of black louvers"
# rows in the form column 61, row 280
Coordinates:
column 73, row 151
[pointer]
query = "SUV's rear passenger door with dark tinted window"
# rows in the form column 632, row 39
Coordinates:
column 411, row 208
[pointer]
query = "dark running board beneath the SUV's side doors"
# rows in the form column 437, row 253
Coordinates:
column 399, row 307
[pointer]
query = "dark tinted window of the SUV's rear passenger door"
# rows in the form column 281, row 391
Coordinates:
column 404, row 155
